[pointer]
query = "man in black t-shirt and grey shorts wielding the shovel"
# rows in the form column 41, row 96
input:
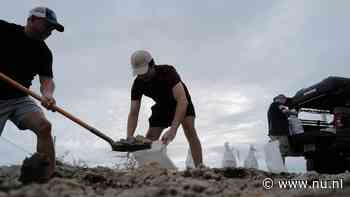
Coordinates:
column 23, row 55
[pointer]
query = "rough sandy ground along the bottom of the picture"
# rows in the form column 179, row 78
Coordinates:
column 153, row 181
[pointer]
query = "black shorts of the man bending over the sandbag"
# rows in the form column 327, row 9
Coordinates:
column 162, row 116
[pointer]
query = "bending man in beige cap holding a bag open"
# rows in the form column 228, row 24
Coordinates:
column 173, row 105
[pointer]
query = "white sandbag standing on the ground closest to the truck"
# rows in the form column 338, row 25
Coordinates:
column 273, row 157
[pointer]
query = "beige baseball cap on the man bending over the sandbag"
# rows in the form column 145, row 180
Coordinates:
column 140, row 62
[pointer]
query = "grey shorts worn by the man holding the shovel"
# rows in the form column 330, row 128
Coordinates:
column 15, row 110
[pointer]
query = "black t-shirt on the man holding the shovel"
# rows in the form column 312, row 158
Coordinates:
column 21, row 58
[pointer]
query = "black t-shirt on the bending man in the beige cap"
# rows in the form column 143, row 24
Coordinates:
column 160, row 87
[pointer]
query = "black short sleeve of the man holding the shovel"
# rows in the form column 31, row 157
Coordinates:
column 45, row 64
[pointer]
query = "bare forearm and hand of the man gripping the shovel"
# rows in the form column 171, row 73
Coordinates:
column 47, row 88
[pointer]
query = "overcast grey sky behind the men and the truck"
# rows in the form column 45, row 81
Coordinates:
column 234, row 57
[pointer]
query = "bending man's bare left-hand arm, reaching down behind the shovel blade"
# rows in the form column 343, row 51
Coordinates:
column 133, row 117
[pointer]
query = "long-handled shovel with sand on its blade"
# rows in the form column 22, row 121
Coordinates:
column 123, row 145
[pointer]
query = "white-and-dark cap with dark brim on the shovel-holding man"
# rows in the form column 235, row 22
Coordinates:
column 49, row 15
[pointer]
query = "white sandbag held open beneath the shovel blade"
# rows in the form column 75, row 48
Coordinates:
column 157, row 153
